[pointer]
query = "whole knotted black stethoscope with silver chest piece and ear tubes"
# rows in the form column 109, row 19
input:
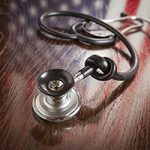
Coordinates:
column 58, row 100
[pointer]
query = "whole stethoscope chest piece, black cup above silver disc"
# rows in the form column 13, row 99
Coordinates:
column 57, row 99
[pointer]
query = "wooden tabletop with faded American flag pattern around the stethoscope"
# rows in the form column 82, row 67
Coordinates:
column 114, row 115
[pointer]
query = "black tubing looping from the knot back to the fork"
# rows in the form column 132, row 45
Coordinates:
column 119, row 75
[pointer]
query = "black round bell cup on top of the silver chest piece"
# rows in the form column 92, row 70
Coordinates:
column 55, row 82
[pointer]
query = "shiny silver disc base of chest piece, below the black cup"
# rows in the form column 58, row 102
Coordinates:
column 57, row 109
